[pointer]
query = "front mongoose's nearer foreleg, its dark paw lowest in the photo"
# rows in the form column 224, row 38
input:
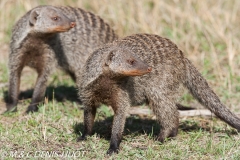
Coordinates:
column 120, row 108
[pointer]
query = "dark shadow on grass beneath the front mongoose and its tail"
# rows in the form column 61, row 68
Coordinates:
column 137, row 126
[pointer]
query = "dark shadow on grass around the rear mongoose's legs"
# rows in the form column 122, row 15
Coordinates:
column 59, row 93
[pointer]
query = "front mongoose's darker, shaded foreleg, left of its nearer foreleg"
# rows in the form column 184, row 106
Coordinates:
column 89, row 116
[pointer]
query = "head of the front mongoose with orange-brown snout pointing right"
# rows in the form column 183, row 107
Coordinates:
column 123, row 62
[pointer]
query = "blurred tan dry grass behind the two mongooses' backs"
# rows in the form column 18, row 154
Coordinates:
column 206, row 31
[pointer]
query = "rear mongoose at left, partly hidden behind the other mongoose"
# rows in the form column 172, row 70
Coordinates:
column 41, row 40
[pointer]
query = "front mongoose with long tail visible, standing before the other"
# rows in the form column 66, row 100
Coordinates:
column 101, row 82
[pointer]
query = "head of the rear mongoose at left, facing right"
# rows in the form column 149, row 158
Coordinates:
column 48, row 19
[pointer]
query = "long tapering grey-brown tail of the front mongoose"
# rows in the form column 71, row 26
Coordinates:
column 199, row 88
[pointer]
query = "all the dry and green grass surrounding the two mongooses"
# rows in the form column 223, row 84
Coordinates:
column 207, row 32
